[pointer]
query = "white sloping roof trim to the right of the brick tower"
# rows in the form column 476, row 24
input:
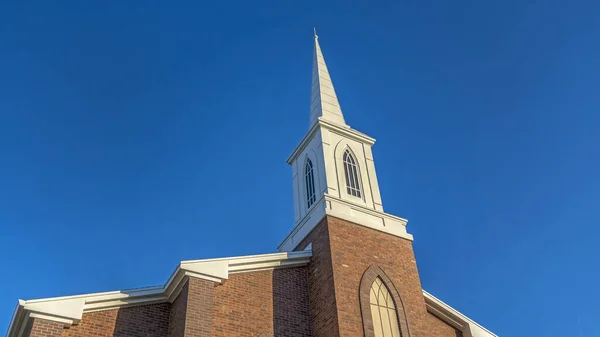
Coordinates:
column 469, row 327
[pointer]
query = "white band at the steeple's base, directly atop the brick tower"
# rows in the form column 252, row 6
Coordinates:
column 339, row 208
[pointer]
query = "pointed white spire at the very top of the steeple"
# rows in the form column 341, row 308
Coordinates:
column 324, row 102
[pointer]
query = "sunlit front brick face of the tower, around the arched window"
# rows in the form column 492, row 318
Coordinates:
column 353, row 249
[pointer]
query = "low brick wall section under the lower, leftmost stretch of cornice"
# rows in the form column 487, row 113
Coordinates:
column 141, row 321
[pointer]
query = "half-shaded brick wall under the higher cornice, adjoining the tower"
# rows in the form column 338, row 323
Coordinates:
column 244, row 305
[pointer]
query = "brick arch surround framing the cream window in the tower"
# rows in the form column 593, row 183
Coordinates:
column 366, row 281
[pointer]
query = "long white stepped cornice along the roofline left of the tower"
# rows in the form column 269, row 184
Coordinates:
column 69, row 309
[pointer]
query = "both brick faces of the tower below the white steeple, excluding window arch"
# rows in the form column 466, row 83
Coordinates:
column 342, row 252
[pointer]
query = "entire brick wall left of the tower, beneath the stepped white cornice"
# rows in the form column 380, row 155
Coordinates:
column 267, row 303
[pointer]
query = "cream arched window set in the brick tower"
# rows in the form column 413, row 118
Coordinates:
column 383, row 311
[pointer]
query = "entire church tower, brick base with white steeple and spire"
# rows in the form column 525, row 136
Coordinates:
column 358, row 250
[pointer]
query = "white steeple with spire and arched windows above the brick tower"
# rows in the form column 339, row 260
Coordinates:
column 333, row 168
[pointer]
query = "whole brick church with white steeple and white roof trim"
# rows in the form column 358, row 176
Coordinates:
column 346, row 268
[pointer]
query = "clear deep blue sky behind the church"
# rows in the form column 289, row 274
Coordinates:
column 135, row 134
